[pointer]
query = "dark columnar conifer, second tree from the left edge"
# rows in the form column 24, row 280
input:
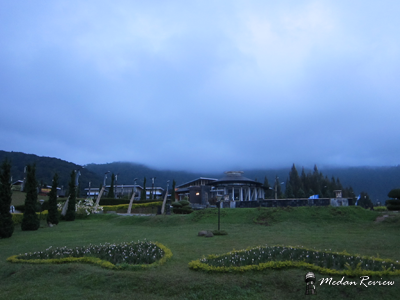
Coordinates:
column 30, row 220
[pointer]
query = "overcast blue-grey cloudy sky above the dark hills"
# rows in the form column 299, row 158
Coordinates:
column 202, row 85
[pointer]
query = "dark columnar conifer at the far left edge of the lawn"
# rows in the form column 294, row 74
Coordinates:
column 6, row 222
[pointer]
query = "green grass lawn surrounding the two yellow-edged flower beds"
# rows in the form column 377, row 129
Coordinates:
column 349, row 228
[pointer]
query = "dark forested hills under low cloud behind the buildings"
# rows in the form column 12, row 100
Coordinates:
column 377, row 181
